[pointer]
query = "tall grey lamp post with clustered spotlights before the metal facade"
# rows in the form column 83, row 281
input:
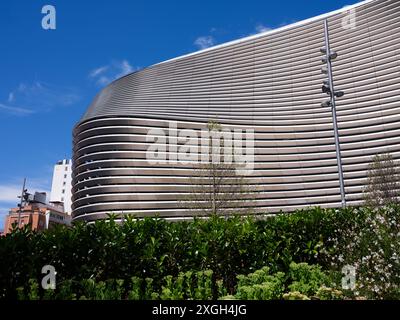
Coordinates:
column 329, row 89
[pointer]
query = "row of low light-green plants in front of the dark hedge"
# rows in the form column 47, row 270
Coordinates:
column 259, row 285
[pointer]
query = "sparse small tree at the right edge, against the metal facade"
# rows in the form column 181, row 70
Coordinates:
column 383, row 182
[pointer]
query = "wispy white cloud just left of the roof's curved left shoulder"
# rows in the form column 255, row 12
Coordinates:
column 116, row 69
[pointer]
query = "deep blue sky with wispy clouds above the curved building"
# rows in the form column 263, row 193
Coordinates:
column 48, row 77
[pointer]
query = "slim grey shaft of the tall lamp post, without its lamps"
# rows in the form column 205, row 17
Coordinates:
column 333, row 105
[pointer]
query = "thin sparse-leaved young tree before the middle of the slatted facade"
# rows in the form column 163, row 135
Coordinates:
column 216, row 187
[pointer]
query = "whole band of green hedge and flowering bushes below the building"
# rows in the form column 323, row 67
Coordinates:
column 203, row 257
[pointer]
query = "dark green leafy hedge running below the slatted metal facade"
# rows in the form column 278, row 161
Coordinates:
column 153, row 248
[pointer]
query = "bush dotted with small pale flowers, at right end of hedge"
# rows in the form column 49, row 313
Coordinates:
column 370, row 243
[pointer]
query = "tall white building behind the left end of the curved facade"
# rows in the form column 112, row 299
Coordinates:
column 61, row 185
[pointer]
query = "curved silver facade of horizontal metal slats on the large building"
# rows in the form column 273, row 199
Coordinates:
column 269, row 82
